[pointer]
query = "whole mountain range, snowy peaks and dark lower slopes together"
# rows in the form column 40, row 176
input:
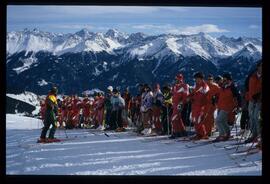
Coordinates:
column 86, row 60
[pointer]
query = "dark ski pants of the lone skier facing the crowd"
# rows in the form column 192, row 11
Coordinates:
column 48, row 121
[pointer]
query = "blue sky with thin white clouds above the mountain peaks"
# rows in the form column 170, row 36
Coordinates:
column 233, row 22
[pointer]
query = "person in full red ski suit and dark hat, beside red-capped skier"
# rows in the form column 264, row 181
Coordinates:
column 198, row 99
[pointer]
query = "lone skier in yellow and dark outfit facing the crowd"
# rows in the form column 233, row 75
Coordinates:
column 50, row 117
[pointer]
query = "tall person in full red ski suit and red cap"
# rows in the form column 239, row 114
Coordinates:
column 180, row 93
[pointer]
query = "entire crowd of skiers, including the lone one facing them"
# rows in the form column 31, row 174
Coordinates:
column 166, row 110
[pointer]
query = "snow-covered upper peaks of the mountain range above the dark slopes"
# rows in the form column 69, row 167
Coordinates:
column 138, row 44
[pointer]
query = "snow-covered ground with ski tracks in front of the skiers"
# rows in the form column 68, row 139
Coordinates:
column 93, row 153
